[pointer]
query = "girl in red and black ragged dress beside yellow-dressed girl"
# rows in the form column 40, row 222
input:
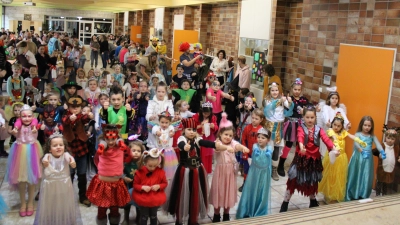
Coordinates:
column 306, row 169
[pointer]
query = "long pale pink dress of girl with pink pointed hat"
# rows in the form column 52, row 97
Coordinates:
column 223, row 192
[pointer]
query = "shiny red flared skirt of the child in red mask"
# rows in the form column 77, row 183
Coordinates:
column 106, row 194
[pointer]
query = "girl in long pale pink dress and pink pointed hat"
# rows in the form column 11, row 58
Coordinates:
column 223, row 191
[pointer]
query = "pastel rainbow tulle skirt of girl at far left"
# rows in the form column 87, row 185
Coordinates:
column 23, row 164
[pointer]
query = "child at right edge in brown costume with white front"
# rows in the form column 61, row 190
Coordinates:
column 385, row 171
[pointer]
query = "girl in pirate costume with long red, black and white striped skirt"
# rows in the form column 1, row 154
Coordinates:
column 189, row 191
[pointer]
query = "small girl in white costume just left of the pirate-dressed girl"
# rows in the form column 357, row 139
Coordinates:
column 163, row 135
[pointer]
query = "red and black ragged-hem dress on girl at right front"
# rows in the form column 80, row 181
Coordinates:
column 305, row 172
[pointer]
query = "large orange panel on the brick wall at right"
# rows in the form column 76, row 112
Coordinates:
column 364, row 80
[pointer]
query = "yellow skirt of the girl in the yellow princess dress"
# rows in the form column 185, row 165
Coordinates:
column 334, row 178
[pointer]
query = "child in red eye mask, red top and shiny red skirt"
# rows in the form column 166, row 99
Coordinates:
column 107, row 189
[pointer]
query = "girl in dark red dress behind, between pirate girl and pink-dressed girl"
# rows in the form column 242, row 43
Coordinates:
column 207, row 127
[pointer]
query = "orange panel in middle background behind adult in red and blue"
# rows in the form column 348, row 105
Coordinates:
column 181, row 36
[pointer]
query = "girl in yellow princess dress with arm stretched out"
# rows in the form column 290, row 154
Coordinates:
column 334, row 176
